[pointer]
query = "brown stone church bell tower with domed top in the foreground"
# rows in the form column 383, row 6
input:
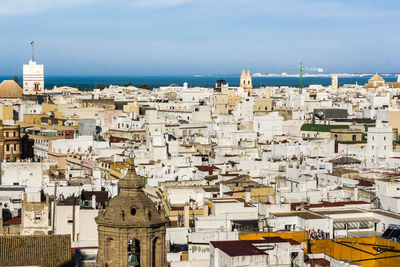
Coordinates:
column 131, row 229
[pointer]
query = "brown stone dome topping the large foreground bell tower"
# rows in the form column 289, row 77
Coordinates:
column 131, row 208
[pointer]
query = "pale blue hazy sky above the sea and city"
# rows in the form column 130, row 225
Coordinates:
column 187, row 37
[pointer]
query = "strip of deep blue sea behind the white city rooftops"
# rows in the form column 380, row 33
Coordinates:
column 89, row 82
